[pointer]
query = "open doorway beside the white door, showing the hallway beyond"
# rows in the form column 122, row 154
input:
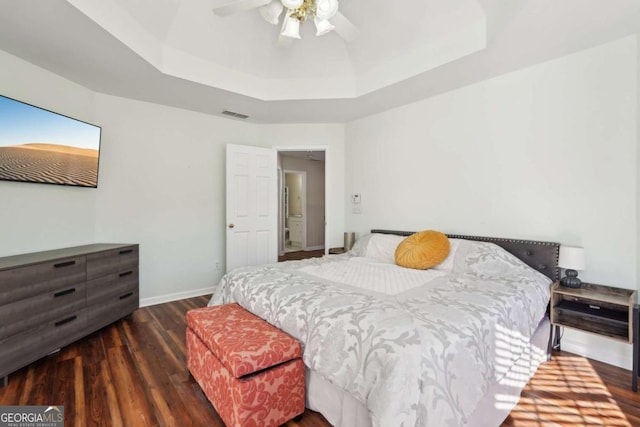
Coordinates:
column 302, row 200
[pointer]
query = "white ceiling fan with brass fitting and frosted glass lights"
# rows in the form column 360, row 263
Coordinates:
column 324, row 13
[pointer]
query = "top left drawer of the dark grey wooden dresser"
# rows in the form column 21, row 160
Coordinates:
column 24, row 282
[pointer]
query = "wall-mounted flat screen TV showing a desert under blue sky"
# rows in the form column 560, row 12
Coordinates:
column 38, row 145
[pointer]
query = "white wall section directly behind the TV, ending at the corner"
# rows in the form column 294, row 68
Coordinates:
column 37, row 217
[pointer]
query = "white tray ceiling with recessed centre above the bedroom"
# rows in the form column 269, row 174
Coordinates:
column 177, row 52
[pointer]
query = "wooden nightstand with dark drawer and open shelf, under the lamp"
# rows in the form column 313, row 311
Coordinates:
column 598, row 309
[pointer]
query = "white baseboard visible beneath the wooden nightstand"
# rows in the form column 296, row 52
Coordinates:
column 599, row 348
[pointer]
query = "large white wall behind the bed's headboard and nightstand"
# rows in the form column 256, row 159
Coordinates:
column 546, row 153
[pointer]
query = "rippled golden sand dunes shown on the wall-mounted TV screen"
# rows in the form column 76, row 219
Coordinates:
column 49, row 163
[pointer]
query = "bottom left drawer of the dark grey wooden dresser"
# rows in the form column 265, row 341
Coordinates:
column 20, row 350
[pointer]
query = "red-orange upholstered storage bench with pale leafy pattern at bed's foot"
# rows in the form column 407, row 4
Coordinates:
column 250, row 371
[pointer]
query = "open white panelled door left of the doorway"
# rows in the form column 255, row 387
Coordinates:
column 252, row 206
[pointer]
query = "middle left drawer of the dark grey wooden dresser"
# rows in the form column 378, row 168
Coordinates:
column 38, row 310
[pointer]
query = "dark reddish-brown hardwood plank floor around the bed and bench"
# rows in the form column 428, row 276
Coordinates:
column 133, row 373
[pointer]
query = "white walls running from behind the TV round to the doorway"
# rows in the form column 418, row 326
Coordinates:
column 161, row 182
